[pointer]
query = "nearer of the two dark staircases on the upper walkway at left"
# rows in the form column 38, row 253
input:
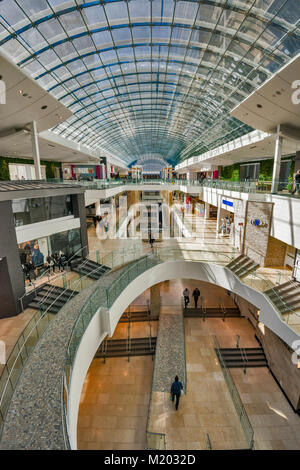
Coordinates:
column 55, row 296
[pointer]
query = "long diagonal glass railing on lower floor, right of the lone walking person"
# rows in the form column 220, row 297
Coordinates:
column 239, row 407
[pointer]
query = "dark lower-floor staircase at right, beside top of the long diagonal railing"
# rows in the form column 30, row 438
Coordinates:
column 244, row 357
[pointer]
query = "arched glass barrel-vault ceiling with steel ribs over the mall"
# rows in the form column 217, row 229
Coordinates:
column 149, row 77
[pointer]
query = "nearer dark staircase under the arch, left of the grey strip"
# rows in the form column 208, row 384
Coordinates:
column 123, row 347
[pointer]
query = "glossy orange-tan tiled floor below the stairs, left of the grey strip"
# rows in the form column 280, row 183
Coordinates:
column 114, row 404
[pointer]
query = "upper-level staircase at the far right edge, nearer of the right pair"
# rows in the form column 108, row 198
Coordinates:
column 285, row 297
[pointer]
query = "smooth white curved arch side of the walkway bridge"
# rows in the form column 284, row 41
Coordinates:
column 102, row 323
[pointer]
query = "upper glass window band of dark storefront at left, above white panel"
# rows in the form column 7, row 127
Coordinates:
column 30, row 211
